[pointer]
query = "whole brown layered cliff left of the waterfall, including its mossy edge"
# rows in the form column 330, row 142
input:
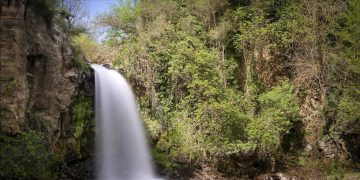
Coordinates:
column 41, row 89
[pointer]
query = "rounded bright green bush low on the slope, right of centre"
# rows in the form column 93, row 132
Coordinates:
column 279, row 111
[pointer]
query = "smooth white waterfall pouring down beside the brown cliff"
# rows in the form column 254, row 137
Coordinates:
column 121, row 147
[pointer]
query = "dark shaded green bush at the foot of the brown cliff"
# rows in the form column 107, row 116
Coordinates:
column 24, row 156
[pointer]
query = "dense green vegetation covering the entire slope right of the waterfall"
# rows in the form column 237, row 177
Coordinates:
column 221, row 80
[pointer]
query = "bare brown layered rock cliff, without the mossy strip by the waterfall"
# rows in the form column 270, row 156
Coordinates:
column 37, row 72
